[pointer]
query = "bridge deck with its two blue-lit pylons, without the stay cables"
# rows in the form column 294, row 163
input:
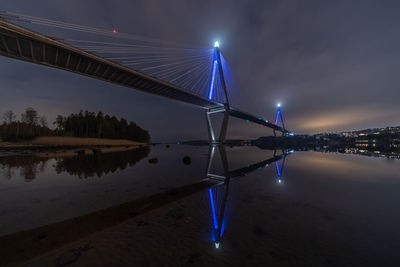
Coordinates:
column 20, row 43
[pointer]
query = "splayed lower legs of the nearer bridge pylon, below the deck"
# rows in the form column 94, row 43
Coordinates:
column 224, row 127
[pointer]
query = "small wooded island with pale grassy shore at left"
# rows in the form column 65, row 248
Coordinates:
column 78, row 133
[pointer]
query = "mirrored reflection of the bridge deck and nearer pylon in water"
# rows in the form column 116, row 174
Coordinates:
column 23, row 246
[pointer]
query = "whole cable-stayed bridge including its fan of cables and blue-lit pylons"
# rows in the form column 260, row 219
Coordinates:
column 193, row 76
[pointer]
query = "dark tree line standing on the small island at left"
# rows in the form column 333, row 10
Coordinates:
column 82, row 124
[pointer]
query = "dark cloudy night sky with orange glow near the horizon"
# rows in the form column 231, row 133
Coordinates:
column 332, row 64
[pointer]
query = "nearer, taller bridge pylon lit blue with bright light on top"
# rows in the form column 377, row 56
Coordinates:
column 217, row 65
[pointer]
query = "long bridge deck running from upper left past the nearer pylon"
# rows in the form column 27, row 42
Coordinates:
column 23, row 44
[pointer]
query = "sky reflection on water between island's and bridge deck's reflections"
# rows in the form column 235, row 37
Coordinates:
column 53, row 196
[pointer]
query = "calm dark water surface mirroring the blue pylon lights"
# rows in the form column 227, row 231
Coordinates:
column 303, row 209
